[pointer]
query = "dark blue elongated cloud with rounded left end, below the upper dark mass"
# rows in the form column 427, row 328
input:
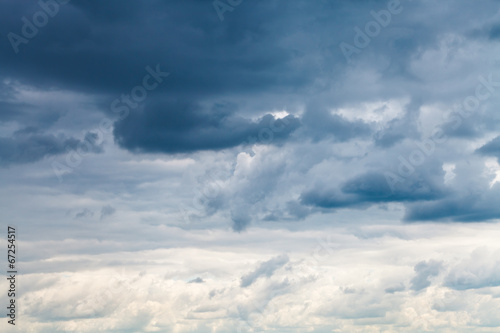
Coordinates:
column 177, row 127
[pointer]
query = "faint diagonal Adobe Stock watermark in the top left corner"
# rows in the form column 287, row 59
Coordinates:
column 30, row 28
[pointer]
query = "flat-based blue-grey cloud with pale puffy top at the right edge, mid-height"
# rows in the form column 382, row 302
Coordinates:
column 425, row 195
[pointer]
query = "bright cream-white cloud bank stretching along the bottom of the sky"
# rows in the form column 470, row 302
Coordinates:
column 353, row 284
